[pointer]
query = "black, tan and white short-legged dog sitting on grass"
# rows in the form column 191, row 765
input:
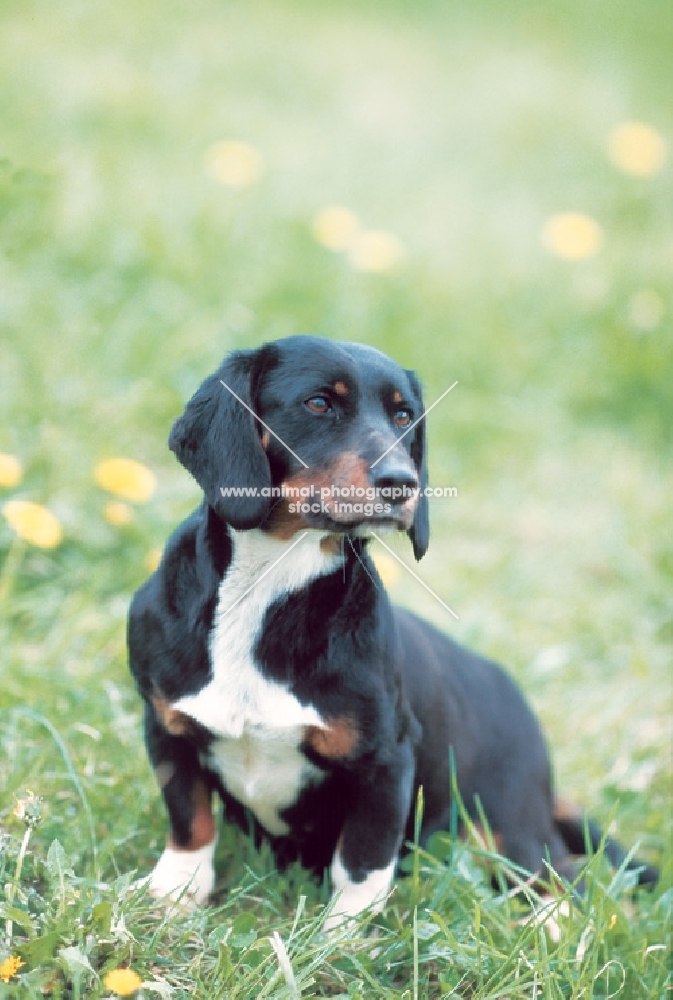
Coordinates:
column 274, row 669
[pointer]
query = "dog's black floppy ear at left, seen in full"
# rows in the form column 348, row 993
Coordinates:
column 218, row 440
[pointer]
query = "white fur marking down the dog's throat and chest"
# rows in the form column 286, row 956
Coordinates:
column 259, row 723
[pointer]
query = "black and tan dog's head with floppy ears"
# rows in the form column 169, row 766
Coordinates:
column 309, row 433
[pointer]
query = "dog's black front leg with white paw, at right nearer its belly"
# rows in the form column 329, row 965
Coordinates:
column 365, row 859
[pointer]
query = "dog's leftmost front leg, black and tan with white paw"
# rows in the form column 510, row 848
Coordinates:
column 186, row 869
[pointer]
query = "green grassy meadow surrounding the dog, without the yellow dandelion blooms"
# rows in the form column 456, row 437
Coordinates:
column 127, row 272
